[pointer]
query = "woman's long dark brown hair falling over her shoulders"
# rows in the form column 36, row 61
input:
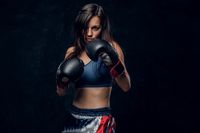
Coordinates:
column 84, row 15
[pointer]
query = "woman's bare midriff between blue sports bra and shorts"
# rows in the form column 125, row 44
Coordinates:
column 92, row 97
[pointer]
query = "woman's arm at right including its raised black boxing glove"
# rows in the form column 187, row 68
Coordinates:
column 112, row 56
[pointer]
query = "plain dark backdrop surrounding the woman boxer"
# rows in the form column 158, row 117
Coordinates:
column 160, row 41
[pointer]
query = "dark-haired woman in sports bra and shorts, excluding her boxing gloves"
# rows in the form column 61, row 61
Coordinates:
column 90, row 111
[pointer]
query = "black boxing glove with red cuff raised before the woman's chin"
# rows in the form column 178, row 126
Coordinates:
column 101, row 48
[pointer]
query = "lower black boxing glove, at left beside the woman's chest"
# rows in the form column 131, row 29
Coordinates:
column 69, row 70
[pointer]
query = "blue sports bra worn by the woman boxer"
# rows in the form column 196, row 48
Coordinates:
column 95, row 74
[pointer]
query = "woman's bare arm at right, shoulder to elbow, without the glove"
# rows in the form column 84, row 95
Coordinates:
column 122, row 80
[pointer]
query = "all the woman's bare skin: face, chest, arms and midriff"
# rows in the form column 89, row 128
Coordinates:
column 96, row 97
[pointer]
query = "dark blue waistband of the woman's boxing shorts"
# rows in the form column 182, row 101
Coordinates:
column 90, row 112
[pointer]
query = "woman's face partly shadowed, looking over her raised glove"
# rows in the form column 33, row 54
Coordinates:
column 93, row 29
